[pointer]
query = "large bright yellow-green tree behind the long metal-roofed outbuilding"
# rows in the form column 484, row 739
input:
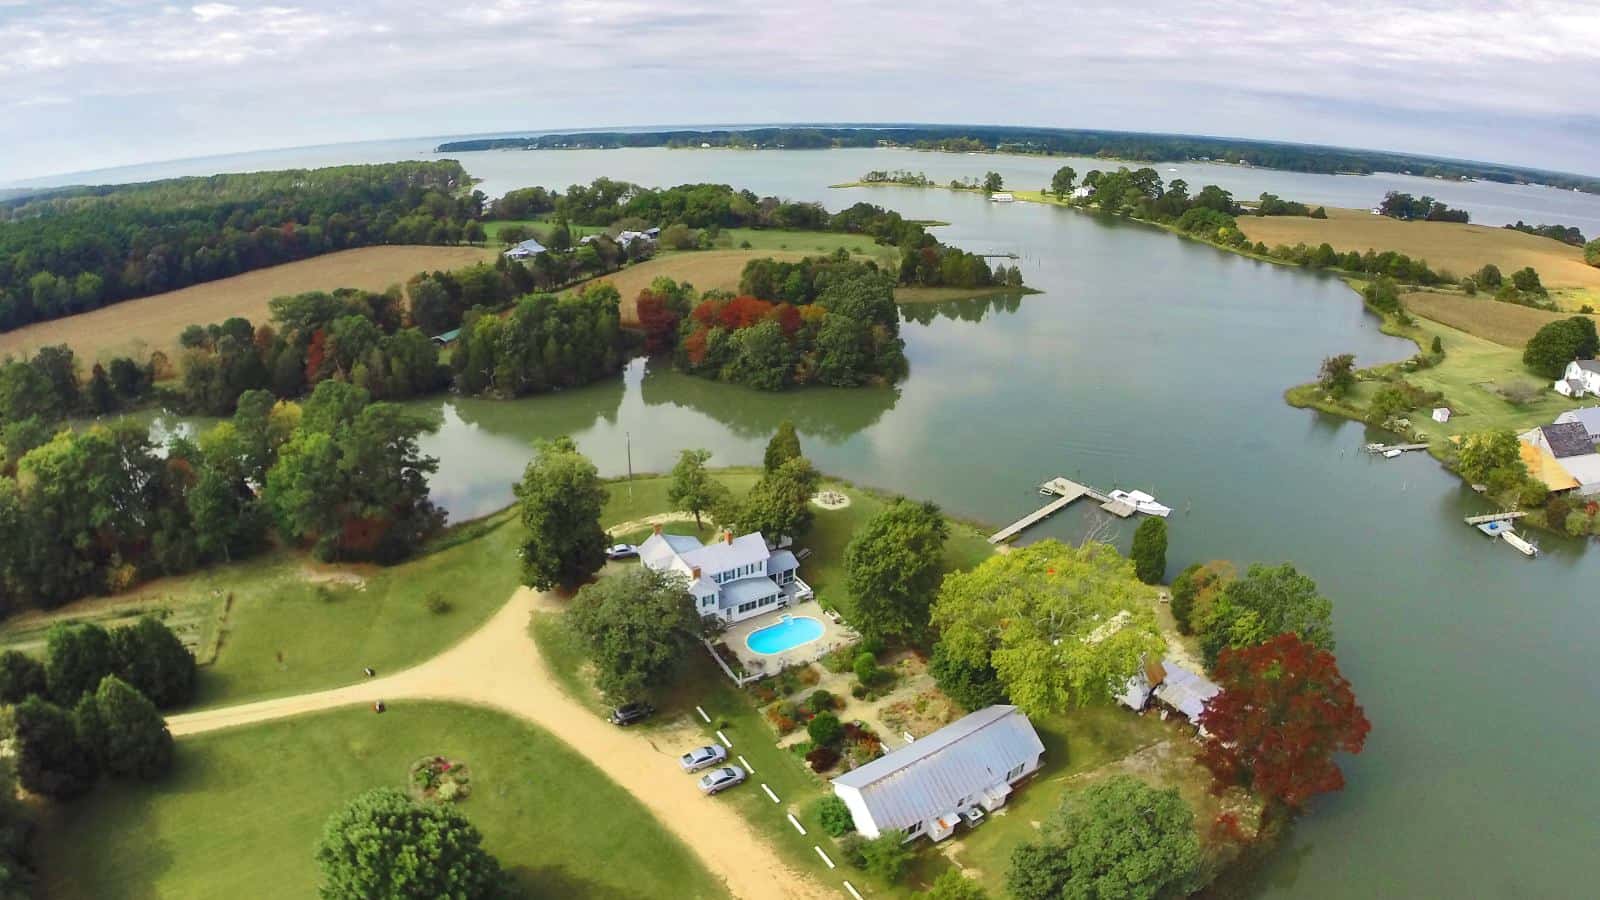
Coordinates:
column 1058, row 625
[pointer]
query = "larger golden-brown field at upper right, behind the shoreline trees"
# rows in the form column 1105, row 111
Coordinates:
column 1462, row 249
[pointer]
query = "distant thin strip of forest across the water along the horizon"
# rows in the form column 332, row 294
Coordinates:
column 1054, row 142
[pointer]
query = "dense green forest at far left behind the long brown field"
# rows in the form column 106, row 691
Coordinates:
column 81, row 249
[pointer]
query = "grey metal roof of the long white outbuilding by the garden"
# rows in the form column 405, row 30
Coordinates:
column 932, row 776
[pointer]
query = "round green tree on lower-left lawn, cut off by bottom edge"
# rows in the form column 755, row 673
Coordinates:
column 385, row 846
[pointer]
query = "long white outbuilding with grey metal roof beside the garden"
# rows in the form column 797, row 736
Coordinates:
column 924, row 787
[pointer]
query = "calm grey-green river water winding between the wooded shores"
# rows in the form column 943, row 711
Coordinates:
column 1159, row 364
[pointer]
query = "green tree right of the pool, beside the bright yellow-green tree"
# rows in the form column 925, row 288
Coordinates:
column 894, row 569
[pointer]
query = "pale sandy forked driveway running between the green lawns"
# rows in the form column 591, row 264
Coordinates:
column 500, row 667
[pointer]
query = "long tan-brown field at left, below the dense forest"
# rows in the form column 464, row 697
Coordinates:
column 137, row 327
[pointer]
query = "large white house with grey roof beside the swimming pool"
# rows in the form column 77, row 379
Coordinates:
column 732, row 579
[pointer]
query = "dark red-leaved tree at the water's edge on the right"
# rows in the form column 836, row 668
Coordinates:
column 1281, row 717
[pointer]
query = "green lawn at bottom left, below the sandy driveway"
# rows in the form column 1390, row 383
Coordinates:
column 210, row 832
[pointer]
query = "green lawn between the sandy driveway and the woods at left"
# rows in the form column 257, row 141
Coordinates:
column 294, row 627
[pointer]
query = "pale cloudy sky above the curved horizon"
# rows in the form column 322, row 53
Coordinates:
column 94, row 84
